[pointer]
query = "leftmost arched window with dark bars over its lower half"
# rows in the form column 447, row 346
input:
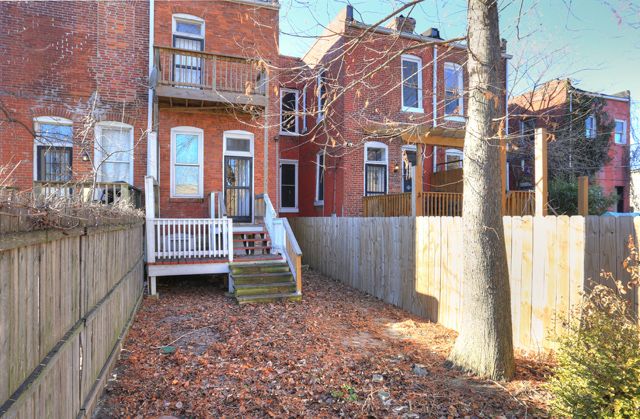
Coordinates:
column 53, row 149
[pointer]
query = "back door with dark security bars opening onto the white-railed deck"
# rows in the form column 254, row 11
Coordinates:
column 238, row 186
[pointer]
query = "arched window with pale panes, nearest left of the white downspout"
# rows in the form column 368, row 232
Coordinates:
column 113, row 152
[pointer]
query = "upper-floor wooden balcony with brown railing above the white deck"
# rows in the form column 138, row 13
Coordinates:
column 193, row 78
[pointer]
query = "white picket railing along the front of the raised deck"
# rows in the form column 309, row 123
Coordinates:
column 192, row 238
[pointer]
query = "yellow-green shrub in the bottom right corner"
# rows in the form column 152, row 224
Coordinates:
column 598, row 360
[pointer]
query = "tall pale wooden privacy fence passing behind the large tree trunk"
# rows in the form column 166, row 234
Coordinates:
column 416, row 263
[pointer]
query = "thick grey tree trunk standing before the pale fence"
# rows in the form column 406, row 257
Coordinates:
column 484, row 345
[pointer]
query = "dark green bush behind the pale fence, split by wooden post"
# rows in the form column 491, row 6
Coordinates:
column 563, row 197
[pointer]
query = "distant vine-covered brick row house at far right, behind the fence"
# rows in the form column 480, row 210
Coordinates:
column 582, row 125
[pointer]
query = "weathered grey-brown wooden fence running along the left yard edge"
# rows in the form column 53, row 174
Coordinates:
column 66, row 301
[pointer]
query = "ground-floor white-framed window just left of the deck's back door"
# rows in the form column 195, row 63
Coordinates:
column 187, row 157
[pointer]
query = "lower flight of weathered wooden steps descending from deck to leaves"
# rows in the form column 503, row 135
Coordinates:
column 262, row 281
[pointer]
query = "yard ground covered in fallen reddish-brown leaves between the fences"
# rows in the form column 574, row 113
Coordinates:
column 195, row 353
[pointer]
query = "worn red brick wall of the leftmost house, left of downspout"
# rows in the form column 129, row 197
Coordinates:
column 65, row 59
